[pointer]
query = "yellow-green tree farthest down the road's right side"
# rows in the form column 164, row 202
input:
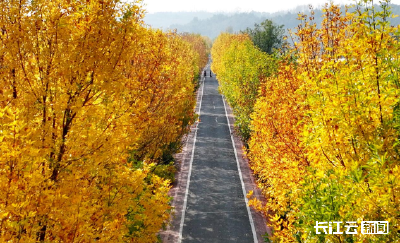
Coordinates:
column 240, row 67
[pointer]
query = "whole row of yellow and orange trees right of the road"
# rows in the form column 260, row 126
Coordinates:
column 324, row 129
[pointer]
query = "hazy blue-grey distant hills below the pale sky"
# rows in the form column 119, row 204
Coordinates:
column 212, row 24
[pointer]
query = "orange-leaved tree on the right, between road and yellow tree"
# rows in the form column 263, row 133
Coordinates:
column 277, row 157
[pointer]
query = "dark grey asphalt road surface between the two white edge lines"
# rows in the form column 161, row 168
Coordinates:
column 215, row 202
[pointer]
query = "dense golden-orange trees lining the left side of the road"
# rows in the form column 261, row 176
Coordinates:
column 90, row 102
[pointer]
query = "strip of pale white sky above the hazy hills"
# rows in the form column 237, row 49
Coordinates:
column 233, row 5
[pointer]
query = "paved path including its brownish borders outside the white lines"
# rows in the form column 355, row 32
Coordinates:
column 208, row 197
